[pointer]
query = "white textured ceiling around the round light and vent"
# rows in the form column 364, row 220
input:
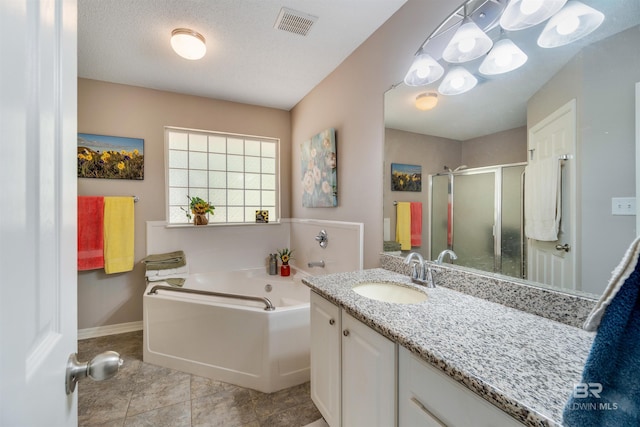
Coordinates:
column 247, row 60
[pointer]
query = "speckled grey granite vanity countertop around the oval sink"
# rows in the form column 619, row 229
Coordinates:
column 525, row 364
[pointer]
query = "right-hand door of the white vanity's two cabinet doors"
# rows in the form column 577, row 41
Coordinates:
column 368, row 376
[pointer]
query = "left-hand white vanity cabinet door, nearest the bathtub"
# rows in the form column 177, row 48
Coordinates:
column 325, row 358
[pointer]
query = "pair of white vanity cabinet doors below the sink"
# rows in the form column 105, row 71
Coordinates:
column 353, row 369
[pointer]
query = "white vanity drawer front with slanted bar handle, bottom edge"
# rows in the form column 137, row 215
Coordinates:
column 428, row 398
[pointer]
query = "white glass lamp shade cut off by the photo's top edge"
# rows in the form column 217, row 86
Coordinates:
column 521, row 14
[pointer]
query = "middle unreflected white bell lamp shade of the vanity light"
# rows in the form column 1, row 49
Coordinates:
column 468, row 43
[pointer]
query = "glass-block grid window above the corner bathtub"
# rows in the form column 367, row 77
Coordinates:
column 238, row 174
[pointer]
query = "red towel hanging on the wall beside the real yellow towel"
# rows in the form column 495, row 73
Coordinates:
column 90, row 232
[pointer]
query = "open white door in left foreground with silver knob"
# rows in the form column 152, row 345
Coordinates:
column 38, row 326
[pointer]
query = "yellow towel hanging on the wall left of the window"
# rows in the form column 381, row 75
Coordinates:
column 118, row 234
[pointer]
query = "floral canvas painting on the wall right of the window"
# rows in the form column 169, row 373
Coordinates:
column 319, row 170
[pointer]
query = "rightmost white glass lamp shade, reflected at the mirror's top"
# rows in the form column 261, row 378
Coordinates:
column 573, row 22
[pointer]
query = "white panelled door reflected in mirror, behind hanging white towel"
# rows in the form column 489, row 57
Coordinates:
column 553, row 263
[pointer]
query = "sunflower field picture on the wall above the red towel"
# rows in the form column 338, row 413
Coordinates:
column 103, row 156
